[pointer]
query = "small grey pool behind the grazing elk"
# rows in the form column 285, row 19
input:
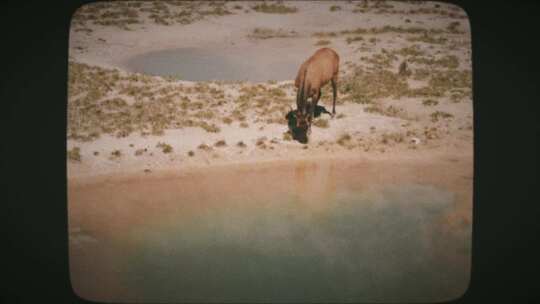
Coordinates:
column 260, row 64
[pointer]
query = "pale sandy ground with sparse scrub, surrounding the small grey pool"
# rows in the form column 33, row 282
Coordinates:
column 383, row 128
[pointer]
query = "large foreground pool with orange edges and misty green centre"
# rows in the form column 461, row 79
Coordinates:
column 297, row 233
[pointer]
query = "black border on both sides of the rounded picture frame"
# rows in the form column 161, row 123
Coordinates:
column 33, row 116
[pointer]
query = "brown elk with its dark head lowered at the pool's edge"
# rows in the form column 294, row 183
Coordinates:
column 314, row 73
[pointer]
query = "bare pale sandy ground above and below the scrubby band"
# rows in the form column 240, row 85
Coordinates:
column 111, row 47
